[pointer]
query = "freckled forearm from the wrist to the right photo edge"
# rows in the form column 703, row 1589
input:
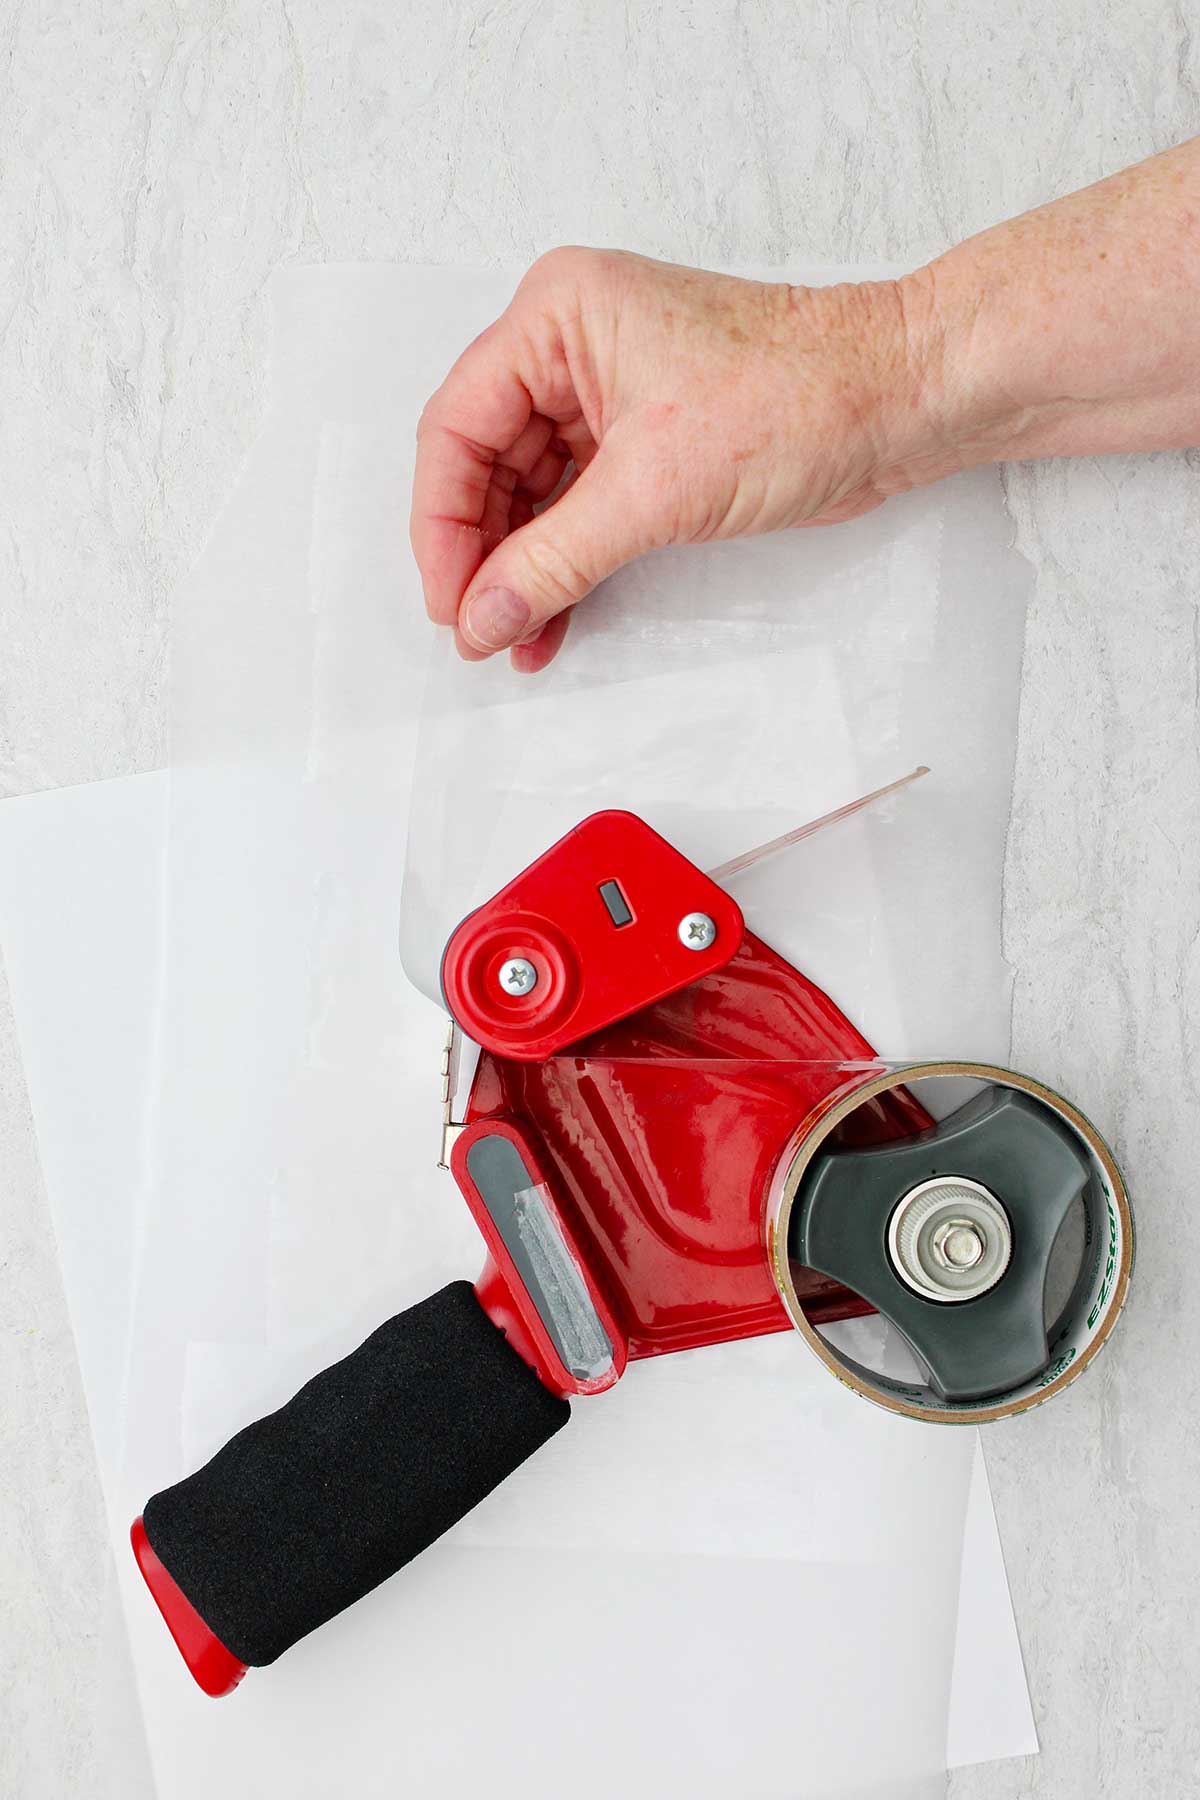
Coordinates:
column 1071, row 330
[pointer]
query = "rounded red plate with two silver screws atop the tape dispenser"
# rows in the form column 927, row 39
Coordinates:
column 591, row 969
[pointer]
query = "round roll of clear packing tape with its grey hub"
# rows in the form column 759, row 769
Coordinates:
column 926, row 1234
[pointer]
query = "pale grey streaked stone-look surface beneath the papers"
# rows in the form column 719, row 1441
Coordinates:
column 156, row 163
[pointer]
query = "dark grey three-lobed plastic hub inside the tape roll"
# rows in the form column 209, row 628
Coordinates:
column 1016, row 1149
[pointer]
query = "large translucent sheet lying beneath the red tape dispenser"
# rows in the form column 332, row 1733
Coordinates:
column 694, row 1587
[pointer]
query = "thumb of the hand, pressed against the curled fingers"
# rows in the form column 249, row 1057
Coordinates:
column 555, row 561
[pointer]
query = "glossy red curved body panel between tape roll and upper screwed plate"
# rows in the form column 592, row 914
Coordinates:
column 661, row 1137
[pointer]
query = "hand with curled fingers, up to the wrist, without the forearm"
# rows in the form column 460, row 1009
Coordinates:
column 652, row 406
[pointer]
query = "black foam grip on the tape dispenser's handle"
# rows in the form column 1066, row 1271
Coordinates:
column 316, row 1506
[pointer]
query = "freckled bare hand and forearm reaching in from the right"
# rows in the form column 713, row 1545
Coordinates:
column 620, row 404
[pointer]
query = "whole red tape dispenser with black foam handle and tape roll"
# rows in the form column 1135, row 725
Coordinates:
column 670, row 1138
